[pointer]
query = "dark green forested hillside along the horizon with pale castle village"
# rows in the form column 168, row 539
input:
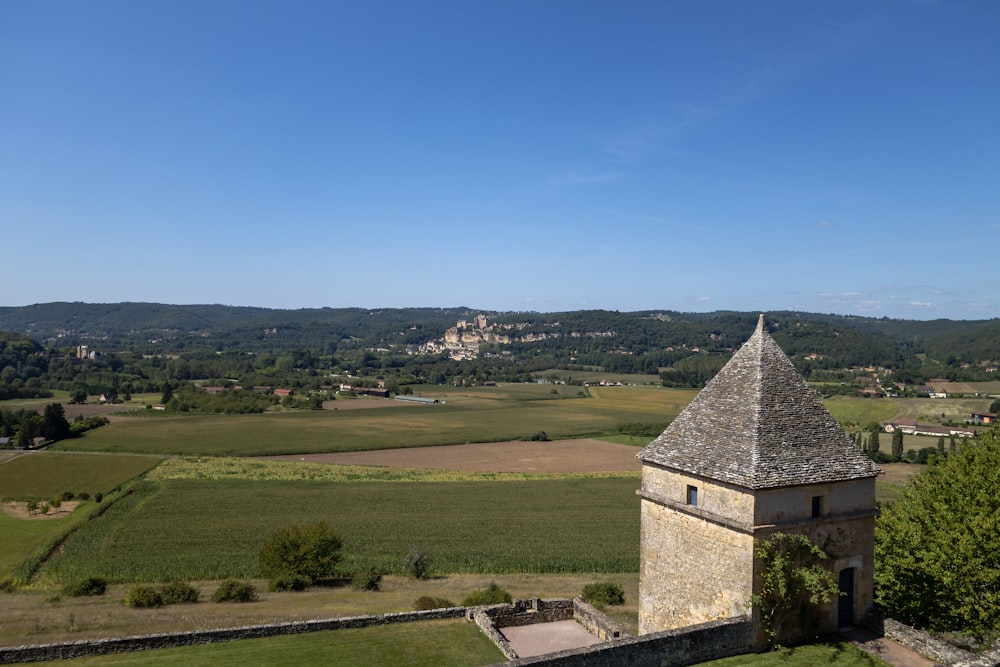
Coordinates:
column 133, row 347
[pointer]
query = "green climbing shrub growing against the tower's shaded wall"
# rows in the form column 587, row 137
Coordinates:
column 794, row 580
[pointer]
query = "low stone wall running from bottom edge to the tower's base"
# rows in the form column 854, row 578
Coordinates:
column 673, row 648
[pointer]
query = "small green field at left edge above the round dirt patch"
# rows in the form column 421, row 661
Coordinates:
column 42, row 475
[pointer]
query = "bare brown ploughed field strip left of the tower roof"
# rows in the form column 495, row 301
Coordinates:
column 558, row 456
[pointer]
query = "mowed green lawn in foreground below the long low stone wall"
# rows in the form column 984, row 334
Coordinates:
column 447, row 642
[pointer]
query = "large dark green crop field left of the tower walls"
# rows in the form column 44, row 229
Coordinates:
column 211, row 529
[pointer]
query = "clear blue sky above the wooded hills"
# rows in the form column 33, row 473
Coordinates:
column 836, row 157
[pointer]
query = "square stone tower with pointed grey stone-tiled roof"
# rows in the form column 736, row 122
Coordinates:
column 755, row 453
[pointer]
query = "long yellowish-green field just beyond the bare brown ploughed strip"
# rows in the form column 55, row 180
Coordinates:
column 462, row 419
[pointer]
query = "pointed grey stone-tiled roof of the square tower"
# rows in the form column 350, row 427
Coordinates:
column 758, row 425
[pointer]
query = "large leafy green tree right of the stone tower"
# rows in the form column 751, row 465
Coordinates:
column 937, row 548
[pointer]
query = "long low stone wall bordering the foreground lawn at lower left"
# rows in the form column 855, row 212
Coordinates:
column 42, row 652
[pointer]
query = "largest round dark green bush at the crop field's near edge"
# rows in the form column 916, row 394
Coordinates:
column 310, row 550
